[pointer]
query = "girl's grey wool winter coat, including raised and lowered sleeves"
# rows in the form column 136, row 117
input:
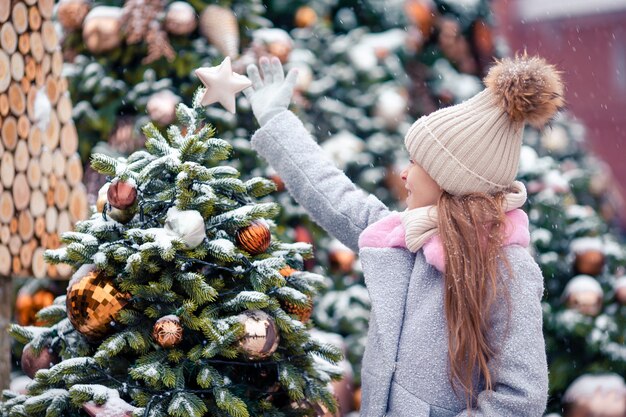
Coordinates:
column 404, row 370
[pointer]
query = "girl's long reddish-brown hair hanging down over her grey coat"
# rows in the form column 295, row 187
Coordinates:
column 471, row 228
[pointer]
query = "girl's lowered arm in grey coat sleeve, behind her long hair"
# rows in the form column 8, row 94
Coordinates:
column 521, row 378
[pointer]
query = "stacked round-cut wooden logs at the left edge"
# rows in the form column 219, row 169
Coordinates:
column 41, row 193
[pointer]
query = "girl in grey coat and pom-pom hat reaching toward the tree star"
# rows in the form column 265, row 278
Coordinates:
column 456, row 322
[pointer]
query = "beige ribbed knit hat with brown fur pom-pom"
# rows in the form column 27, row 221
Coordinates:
column 475, row 146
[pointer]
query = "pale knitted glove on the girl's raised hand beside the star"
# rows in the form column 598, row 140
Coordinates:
column 271, row 94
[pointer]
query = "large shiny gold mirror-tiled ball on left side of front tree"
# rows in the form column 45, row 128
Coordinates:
column 93, row 304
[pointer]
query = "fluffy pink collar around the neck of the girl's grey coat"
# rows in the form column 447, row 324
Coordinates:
column 389, row 233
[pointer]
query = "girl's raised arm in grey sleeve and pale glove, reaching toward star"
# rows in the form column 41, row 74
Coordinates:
column 329, row 196
